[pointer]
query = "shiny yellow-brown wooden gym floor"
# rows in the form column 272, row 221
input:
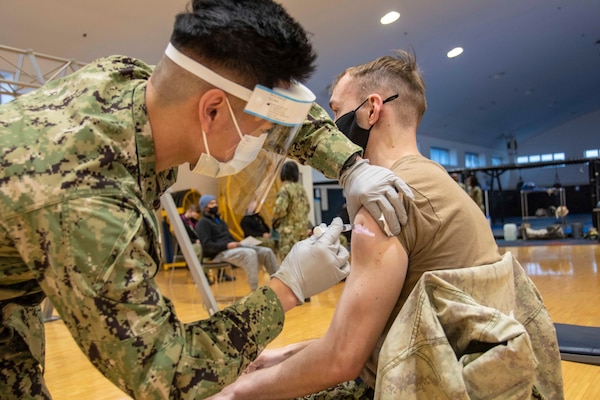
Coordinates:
column 567, row 277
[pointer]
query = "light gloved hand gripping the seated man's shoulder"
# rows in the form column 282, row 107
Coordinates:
column 378, row 190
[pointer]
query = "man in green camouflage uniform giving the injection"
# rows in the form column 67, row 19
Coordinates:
column 84, row 161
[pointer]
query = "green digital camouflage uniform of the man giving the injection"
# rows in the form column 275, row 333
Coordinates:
column 78, row 187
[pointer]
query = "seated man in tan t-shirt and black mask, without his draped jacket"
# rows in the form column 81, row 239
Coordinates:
column 379, row 105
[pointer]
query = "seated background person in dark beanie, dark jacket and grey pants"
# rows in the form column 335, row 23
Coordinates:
column 218, row 244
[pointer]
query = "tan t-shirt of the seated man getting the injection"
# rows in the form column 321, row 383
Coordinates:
column 445, row 230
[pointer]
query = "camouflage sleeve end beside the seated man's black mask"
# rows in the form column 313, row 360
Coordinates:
column 321, row 145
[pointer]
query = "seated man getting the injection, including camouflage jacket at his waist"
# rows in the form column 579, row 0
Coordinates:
column 379, row 105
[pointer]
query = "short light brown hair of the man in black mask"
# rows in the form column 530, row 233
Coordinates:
column 389, row 75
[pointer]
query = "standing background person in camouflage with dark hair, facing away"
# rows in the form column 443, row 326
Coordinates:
column 290, row 214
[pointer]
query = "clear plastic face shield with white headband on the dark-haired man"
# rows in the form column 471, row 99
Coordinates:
column 283, row 110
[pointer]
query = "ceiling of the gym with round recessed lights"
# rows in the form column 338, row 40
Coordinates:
column 528, row 65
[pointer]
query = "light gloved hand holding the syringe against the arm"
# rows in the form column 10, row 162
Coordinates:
column 315, row 264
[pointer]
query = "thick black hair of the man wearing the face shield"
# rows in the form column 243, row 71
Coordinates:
column 256, row 40
